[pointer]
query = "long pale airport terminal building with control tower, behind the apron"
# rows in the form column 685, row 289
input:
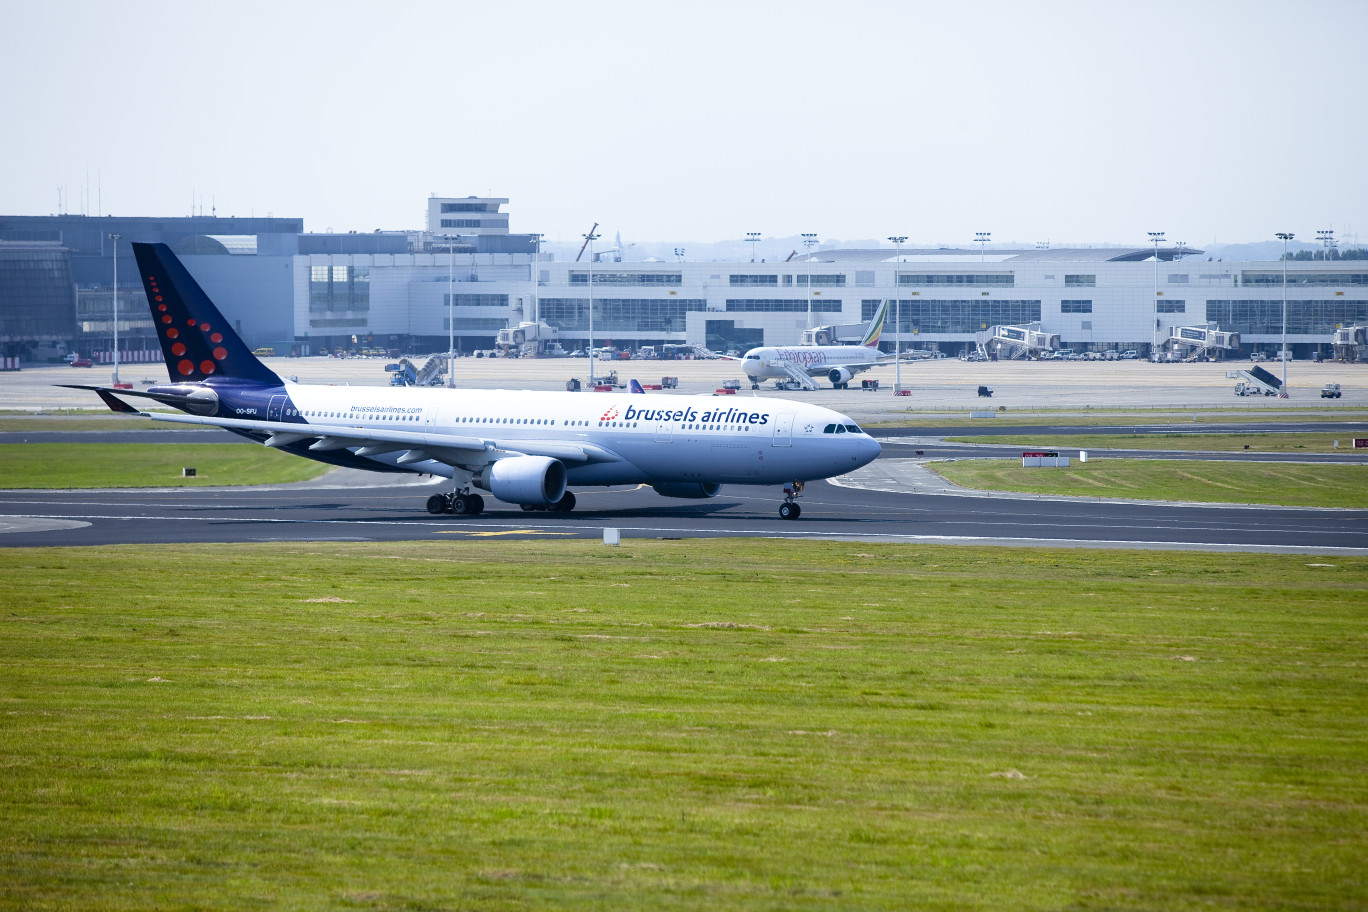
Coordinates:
column 466, row 276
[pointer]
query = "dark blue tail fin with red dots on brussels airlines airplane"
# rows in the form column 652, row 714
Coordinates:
column 196, row 340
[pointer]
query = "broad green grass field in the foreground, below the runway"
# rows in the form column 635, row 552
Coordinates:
column 681, row 725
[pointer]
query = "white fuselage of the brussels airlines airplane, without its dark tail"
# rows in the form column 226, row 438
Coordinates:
column 653, row 438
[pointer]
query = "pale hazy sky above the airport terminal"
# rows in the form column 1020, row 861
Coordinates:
column 1073, row 122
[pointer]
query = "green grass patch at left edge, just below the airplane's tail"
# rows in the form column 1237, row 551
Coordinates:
column 136, row 466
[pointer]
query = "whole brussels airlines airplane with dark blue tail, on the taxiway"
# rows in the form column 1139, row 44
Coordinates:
column 525, row 448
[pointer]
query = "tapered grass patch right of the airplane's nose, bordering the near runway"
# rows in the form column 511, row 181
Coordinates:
column 1272, row 483
